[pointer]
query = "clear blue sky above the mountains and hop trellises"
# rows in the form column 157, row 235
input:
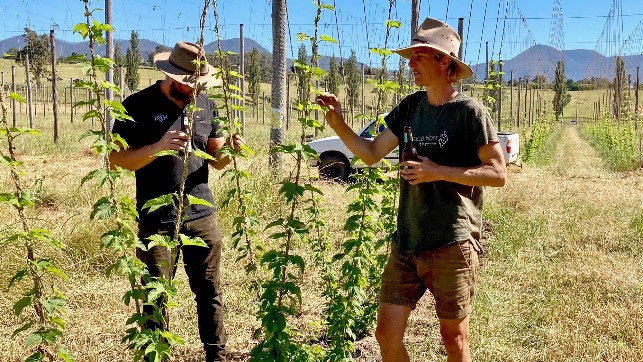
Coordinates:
column 358, row 22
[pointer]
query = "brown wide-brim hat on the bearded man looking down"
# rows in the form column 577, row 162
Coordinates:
column 179, row 65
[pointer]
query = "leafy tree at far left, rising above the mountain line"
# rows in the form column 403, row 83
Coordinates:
column 39, row 55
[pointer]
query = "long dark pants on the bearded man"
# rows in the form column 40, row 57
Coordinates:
column 202, row 269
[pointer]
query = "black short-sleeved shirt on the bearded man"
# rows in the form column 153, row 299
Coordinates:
column 154, row 114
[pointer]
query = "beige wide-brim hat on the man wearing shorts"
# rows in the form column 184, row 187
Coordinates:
column 441, row 37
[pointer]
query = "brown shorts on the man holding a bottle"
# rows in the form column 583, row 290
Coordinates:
column 448, row 272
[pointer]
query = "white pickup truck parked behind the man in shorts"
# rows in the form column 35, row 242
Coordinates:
column 335, row 158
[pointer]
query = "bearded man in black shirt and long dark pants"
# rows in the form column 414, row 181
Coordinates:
column 159, row 112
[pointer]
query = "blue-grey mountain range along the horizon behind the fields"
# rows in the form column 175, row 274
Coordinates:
column 538, row 59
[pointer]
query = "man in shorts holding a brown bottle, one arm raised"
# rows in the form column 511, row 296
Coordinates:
column 435, row 246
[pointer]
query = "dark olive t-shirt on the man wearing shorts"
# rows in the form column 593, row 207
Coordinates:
column 434, row 214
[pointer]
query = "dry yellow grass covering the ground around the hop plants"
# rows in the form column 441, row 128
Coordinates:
column 561, row 281
